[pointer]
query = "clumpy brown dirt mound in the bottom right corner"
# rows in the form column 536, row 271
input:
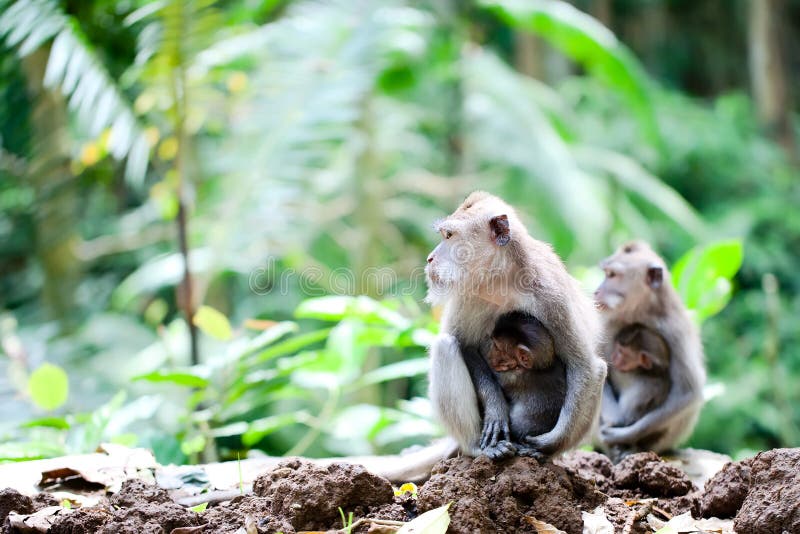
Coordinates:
column 762, row 492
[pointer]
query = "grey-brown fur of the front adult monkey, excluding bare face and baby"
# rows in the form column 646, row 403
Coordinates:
column 532, row 279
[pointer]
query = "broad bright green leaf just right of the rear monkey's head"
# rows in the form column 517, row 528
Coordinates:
column 703, row 276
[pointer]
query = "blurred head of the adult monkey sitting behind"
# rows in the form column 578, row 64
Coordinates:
column 635, row 275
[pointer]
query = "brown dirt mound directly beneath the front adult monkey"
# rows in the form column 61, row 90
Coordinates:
column 506, row 496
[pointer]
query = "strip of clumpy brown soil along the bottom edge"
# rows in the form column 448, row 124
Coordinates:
column 762, row 493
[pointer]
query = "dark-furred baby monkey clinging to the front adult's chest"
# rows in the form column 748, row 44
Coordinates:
column 532, row 378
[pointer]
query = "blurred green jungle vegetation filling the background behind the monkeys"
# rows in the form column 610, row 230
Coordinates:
column 270, row 169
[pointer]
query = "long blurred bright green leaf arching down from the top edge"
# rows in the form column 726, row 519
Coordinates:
column 588, row 42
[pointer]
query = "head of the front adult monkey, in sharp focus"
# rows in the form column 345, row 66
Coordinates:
column 475, row 250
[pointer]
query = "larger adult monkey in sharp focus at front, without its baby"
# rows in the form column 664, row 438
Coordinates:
column 487, row 265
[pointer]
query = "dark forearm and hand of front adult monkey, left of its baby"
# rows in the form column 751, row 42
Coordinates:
column 496, row 433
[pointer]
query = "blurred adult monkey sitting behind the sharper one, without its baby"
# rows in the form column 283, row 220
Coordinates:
column 637, row 291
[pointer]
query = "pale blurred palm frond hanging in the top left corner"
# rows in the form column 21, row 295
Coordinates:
column 74, row 69
